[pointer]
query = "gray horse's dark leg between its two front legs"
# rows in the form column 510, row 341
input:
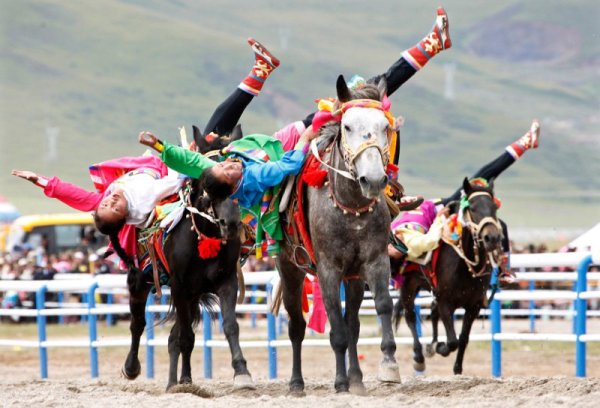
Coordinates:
column 355, row 290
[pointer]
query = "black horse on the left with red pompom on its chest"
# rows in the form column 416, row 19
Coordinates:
column 193, row 281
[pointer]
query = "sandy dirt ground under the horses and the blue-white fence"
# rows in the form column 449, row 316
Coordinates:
column 534, row 373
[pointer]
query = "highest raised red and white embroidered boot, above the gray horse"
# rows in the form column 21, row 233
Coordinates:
column 434, row 42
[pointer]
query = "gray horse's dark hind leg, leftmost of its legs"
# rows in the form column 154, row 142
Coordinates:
column 292, row 282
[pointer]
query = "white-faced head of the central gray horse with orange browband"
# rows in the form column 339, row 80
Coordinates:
column 365, row 130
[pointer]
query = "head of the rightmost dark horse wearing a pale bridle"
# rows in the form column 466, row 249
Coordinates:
column 480, row 216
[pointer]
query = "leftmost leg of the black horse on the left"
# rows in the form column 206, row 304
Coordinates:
column 137, row 307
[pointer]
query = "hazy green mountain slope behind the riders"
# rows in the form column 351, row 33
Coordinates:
column 79, row 80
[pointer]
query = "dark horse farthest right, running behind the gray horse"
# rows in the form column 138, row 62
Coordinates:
column 463, row 276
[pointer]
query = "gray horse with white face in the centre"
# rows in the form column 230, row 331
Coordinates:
column 348, row 224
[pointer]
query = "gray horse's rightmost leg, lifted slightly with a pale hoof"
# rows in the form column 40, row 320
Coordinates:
column 378, row 279
